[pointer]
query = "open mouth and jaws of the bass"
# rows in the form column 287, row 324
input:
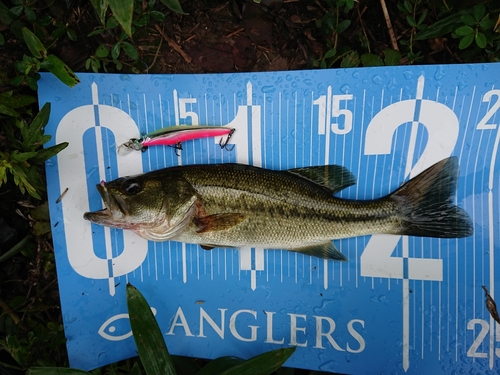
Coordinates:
column 113, row 214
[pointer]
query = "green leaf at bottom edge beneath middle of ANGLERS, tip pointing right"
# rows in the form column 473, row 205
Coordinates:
column 263, row 364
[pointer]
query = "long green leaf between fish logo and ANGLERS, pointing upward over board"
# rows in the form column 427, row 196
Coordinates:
column 147, row 335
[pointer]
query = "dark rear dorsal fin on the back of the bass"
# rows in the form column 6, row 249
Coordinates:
column 334, row 177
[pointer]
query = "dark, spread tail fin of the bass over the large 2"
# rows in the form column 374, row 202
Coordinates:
column 426, row 203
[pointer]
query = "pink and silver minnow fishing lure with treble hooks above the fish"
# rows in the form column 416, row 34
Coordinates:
column 174, row 136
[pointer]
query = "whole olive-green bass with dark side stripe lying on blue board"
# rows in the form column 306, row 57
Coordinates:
column 236, row 205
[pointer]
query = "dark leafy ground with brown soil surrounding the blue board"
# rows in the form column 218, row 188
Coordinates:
column 205, row 36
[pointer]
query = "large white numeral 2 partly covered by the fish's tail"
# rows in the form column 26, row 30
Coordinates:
column 442, row 128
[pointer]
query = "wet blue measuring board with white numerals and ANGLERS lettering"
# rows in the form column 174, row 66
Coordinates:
column 400, row 304
